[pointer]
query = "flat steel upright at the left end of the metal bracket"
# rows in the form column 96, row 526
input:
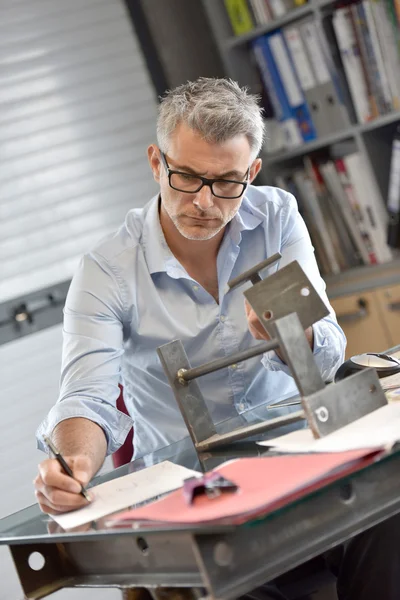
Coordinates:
column 188, row 396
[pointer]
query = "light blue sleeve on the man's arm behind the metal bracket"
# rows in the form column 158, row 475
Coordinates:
column 329, row 339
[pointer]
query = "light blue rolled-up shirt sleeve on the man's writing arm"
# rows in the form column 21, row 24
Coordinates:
column 92, row 350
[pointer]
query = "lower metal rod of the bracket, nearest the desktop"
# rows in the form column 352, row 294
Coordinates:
column 245, row 432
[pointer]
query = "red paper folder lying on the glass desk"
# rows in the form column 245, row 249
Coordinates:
column 264, row 485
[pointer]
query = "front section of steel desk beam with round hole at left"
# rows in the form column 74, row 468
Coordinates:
column 122, row 561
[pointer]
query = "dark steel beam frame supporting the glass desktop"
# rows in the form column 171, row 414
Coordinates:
column 227, row 561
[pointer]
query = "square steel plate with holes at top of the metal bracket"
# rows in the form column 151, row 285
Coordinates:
column 287, row 291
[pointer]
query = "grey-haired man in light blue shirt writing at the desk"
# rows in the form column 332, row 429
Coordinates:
column 163, row 276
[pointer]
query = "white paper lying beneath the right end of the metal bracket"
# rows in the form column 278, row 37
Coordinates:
column 379, row 429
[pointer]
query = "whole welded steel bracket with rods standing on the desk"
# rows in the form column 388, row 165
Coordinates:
column 286, row 304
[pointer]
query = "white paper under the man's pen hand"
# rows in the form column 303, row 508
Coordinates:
column 129, row 490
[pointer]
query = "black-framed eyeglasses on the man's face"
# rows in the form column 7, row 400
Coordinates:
column 191, row 184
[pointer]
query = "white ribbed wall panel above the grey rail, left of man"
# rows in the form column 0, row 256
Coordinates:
column 77, row 111
